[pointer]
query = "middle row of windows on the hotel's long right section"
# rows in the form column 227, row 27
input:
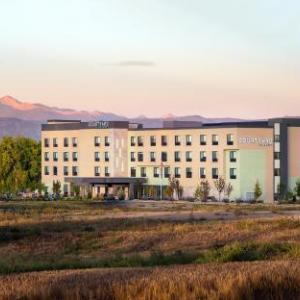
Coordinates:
column 139, row 156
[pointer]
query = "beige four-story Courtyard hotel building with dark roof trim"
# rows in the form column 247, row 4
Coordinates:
column 102, row 156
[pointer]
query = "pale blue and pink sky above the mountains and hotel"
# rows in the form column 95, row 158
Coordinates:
column 215, row 58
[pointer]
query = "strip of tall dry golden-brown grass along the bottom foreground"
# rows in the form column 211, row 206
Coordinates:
column 258, row 280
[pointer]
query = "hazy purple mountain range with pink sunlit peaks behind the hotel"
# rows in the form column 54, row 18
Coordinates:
column 23, row 118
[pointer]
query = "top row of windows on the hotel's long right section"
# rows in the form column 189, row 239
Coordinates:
column 188, row 141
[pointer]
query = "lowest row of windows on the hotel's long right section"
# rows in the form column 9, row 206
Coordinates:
column 165, row 172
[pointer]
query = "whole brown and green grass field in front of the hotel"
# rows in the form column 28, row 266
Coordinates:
column 148, row 250
